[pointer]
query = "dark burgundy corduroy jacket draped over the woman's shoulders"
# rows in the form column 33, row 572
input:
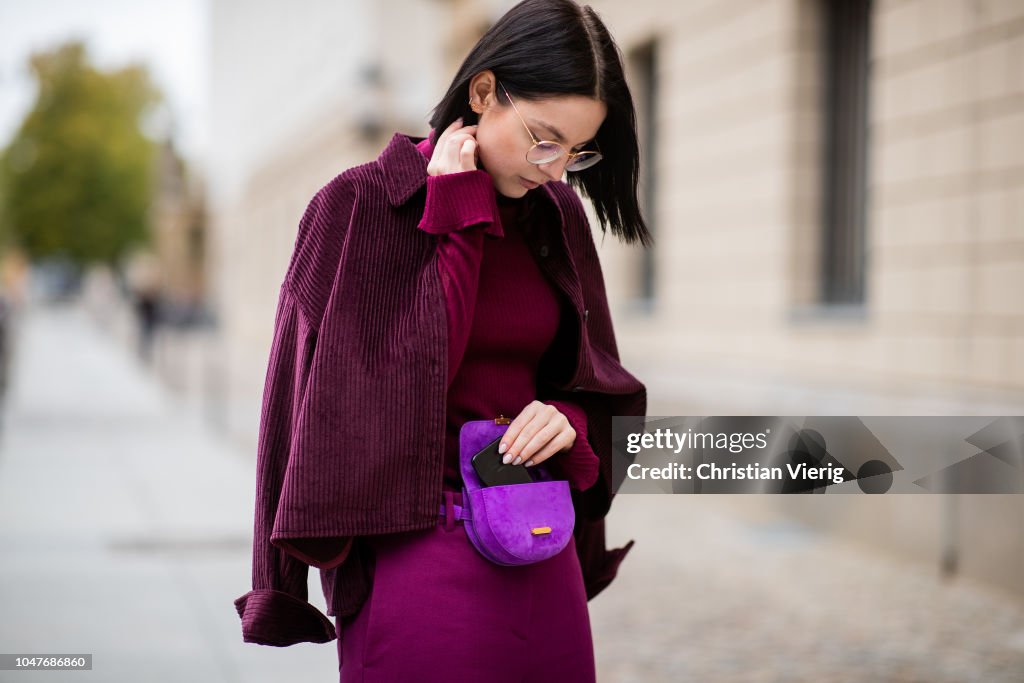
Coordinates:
column 352, row 436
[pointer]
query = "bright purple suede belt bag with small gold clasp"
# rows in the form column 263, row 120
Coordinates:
column 518, row 524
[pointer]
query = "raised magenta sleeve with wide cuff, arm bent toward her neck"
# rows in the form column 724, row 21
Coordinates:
column 461, row 209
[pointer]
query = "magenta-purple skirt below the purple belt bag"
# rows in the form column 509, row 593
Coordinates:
column 440, row 612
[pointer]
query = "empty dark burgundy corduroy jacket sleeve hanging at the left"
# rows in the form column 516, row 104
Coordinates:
column 277, row 611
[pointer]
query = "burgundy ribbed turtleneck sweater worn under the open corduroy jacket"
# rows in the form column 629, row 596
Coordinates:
column 503, row 315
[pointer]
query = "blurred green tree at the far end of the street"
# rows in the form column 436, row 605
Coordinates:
column 76, row 180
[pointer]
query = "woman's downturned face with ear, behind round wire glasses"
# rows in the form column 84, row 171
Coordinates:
column 503, row 141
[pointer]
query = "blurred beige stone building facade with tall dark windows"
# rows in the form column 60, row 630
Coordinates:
column 837, row 193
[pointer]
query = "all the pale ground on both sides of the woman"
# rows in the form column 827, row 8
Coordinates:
column 126, row 527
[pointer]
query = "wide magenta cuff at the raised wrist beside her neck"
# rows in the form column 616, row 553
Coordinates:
column 458, row 201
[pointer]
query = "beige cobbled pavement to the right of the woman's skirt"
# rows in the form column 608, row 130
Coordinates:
column 721, row 589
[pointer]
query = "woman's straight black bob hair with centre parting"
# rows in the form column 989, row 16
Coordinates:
column 546, row 49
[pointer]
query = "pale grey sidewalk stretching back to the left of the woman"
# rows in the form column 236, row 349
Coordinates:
column 125, row 523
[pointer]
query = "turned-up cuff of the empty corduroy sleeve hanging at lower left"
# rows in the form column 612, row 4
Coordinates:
column 276, row 618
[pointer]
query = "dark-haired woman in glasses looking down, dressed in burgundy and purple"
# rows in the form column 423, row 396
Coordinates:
column 405, row 314
